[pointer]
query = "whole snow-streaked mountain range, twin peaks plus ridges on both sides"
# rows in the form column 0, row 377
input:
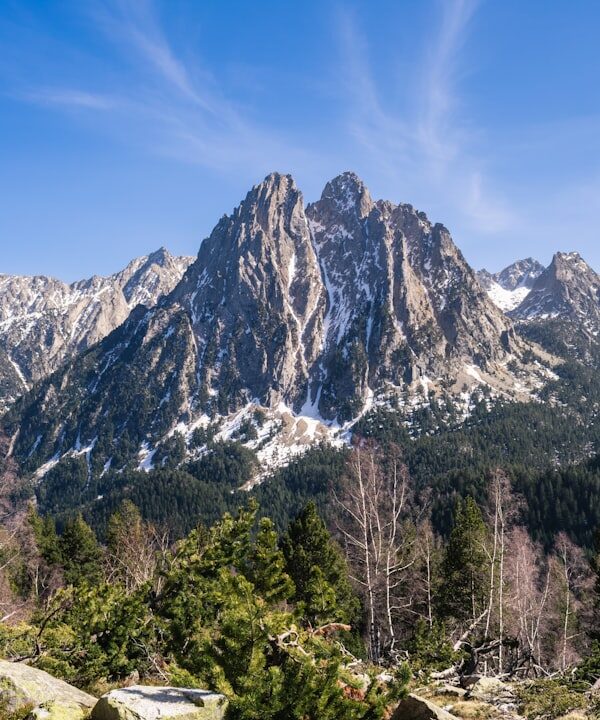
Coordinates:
column 304, row 316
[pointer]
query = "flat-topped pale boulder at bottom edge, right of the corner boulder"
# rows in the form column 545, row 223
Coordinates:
column 140, row 702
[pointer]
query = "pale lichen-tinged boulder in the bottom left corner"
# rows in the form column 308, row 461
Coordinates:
column 50, row 698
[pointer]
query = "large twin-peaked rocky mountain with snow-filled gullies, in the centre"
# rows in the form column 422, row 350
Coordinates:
column 310, row 314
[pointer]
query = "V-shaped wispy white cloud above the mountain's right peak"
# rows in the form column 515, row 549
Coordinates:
column 431, row 142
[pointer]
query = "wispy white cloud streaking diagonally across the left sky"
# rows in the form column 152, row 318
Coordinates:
column 180, row 108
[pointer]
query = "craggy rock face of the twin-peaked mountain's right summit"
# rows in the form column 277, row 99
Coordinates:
column 402, row 301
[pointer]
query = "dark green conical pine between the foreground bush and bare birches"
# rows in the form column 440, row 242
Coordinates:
column 319, row 571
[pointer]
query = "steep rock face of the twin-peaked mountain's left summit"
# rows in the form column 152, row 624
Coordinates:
column 256, row 301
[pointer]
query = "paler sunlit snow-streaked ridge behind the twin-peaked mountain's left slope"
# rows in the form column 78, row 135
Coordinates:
column 43, row 320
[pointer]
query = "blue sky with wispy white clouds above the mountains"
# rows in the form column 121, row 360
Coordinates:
column 130, row 124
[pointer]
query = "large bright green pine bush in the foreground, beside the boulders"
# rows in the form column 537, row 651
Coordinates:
column 224, row 625
